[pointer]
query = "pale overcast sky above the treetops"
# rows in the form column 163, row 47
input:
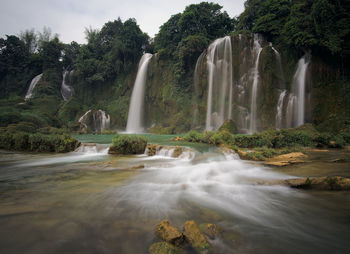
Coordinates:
column 69, row 18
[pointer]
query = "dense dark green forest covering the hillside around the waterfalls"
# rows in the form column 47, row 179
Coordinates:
column 104, row 68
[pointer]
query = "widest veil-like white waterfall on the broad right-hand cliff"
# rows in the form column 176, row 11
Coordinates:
column 219, row 62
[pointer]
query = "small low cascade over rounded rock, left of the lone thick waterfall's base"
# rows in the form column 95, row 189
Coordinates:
column 95, row 120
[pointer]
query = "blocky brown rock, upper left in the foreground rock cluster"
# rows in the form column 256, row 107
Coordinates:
column 169, row 233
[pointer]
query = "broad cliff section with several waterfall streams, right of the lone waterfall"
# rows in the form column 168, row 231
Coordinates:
column 242, row 78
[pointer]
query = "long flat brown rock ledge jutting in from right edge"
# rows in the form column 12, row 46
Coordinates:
column 320, row 183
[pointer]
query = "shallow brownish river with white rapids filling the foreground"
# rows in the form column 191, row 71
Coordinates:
column 91, row 202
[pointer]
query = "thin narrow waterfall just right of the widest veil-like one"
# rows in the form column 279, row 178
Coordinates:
column 253, row 109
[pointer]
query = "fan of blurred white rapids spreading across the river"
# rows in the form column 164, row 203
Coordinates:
column 213, row 180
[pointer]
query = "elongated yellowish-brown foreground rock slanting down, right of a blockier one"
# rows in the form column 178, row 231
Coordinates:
column 195, row 238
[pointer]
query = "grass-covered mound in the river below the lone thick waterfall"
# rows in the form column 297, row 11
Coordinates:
column 128, row 144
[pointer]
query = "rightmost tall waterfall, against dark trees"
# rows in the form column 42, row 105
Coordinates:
column 296, row 105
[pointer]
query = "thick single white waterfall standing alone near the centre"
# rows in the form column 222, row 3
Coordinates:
column 135, row 116
